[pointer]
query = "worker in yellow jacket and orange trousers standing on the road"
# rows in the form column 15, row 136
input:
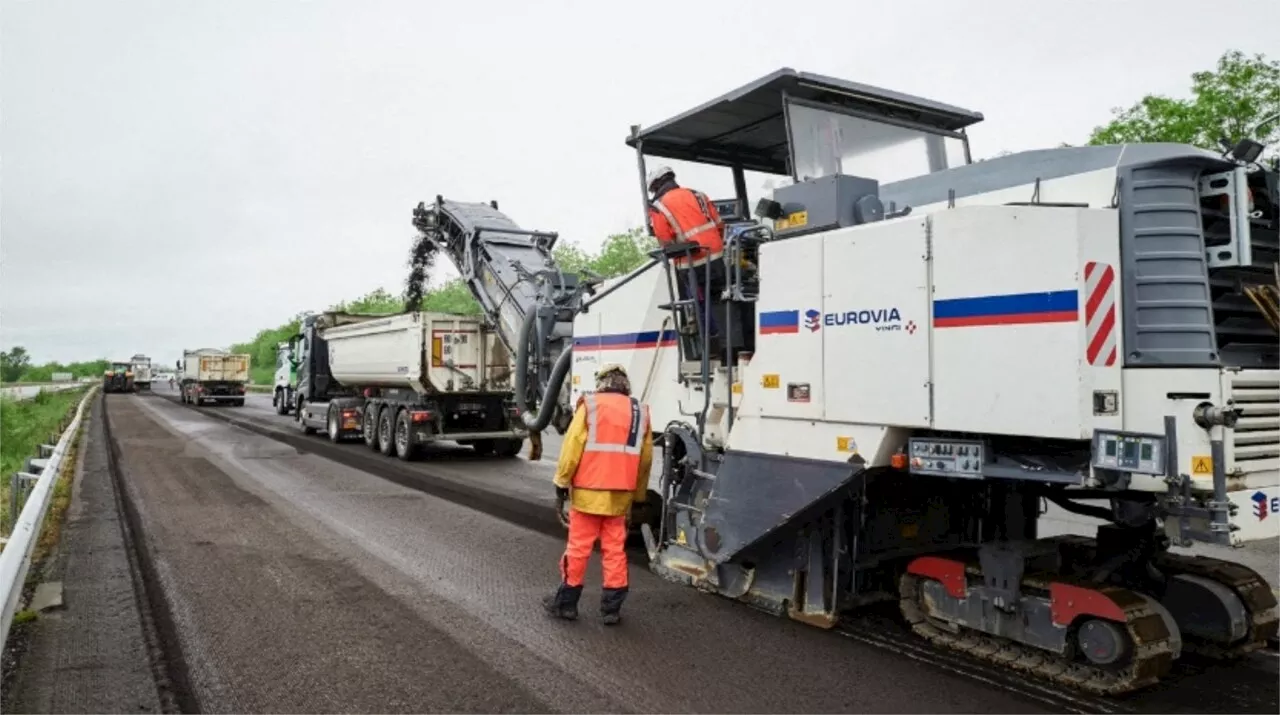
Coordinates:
column 604, row 469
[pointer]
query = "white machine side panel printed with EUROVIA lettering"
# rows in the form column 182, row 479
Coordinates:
column 876, row 308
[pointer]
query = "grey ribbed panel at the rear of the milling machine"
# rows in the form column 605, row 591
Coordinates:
column 1169, row 319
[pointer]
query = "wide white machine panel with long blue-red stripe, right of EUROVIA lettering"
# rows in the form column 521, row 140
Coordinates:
column 1009, row 337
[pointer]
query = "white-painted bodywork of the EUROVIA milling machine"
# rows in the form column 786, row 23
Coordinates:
column 982, row 319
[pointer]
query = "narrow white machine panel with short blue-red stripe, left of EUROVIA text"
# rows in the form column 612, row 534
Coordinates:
column 789, row 332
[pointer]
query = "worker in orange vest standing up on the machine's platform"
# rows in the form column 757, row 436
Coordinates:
column 682, row 216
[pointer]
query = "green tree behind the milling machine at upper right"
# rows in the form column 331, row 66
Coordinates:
column 1228, row 102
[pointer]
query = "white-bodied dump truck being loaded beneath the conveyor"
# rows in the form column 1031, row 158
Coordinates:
column 401, row 382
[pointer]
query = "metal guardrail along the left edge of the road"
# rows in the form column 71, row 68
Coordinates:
column 16, row 558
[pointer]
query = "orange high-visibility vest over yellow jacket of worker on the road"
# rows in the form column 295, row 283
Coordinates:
column 616, row 428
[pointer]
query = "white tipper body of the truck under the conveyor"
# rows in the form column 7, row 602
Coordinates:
column 420, row 352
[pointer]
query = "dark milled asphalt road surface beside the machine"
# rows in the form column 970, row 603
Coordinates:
column 303, row 584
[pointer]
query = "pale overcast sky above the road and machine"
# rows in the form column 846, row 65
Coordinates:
column 181, row 175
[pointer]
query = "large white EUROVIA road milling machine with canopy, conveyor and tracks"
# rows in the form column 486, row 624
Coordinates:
column 916, row 355
